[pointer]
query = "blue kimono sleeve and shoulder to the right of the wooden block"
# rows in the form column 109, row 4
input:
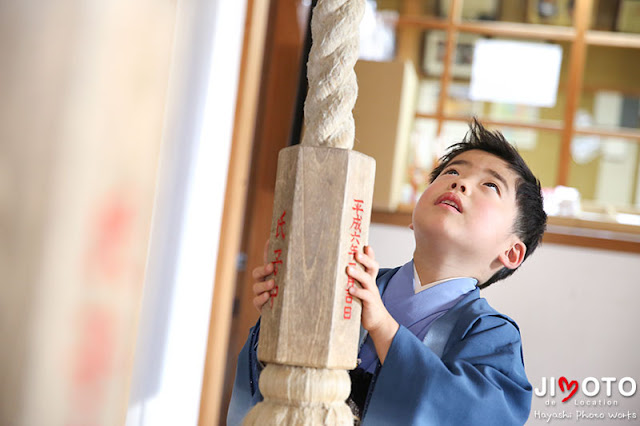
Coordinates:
column 480, row 380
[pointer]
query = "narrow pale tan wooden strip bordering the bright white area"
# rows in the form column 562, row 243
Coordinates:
column 234, row 205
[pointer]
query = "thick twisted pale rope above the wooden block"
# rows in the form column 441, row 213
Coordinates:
column 333, row 87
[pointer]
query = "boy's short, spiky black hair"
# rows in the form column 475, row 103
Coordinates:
column 531, row 220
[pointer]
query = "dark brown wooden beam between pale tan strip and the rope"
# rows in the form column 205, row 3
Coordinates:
column 278, row 88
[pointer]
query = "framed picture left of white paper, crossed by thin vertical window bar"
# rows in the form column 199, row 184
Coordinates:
column 435, row 46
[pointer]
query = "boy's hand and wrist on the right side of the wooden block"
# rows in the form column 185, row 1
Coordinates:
column 375, row 317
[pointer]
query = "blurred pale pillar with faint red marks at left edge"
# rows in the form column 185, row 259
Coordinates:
column 84, row 85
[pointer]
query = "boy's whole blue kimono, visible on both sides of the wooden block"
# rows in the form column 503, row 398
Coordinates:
column 468, row 370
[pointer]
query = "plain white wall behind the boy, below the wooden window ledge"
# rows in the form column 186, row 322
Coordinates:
column 577, row 310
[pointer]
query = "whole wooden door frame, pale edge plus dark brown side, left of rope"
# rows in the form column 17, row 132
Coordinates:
column 267, row 96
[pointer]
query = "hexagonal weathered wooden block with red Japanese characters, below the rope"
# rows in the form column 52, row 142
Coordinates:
column 321, row 210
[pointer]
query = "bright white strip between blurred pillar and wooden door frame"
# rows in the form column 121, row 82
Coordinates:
column 171, row 346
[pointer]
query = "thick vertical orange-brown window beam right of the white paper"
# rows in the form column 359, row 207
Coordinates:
column 581, row 17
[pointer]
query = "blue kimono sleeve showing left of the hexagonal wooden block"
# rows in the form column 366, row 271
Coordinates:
column 246, row 393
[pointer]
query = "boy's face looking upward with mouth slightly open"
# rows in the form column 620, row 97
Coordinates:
column 470, row 207
